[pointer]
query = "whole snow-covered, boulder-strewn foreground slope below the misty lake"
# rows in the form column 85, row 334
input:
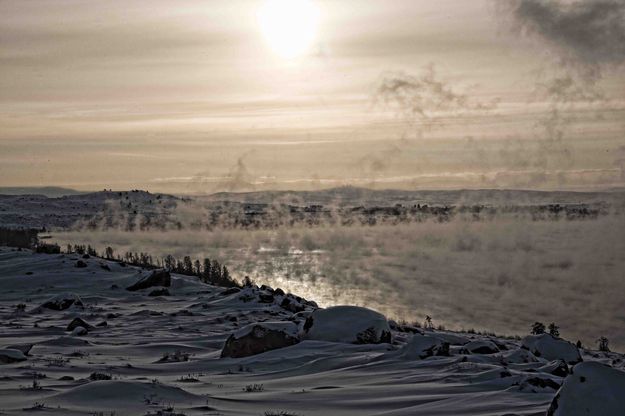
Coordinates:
column 162, row 351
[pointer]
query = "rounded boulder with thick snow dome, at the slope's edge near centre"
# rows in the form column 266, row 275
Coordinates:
column 349, row 324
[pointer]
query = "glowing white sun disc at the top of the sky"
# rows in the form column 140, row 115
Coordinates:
column 289, row 26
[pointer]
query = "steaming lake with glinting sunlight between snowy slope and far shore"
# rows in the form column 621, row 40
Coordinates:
column 499, row 275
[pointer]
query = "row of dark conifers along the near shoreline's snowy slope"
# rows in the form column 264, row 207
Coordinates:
column 207, row 270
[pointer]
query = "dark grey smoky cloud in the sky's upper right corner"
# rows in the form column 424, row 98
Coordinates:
column 590, row 33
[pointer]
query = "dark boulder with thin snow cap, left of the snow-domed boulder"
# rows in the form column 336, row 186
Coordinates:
column 260, row 337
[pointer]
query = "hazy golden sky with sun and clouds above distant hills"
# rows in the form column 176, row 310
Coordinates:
column 205, row 96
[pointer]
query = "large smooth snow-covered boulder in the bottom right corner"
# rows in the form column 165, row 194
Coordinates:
column 592, row 389
